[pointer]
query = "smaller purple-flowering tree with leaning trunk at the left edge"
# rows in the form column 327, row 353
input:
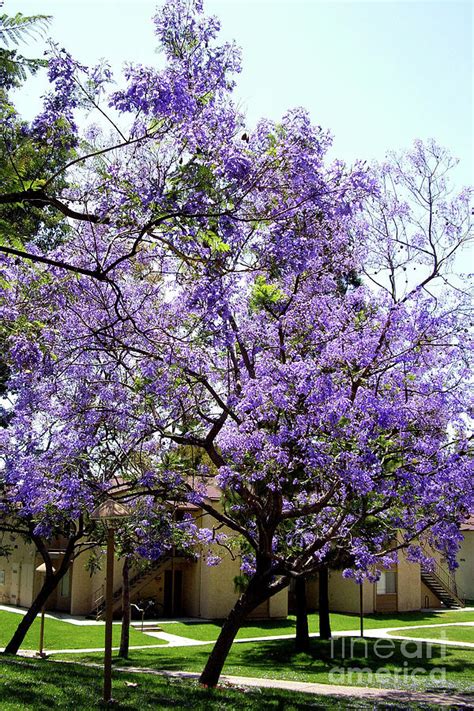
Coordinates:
column 63, row 450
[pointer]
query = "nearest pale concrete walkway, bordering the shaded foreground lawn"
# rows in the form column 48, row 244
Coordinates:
column 404, row 696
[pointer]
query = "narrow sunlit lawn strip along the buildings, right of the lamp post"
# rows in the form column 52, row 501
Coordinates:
column 208, row 631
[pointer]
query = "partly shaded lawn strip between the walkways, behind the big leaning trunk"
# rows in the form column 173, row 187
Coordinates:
column 326, row 663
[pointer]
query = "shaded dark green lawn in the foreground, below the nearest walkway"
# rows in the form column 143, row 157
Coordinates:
column 43, row 685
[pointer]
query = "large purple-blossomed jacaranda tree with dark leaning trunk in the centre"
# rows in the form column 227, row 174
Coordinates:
column 292, row 319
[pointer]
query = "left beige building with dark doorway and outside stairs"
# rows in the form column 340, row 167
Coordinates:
column 179, row 586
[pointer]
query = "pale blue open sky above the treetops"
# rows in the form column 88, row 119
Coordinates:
column 378, row 74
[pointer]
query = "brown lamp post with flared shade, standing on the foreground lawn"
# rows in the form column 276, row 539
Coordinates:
column 109, row 512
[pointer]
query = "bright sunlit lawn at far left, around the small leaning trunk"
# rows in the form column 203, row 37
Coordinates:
column 63, row 635
